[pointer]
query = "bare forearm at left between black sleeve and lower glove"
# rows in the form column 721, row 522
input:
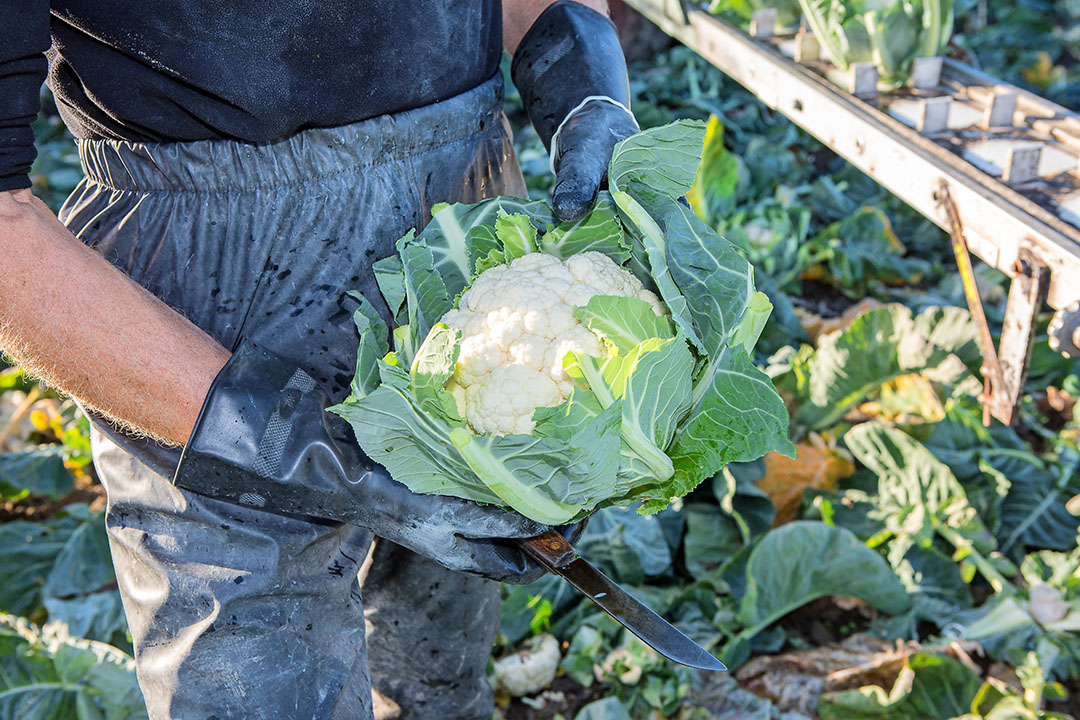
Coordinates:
column 74, row 320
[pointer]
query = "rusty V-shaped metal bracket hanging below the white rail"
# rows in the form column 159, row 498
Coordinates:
column 1005, row 369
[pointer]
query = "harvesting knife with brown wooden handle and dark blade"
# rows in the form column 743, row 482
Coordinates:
column 559, row 556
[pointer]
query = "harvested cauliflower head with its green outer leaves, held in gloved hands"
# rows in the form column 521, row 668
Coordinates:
column 658, row 396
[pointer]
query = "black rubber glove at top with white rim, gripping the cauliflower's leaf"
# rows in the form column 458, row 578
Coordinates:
column 572, row 75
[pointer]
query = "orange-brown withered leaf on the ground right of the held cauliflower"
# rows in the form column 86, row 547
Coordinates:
column 814, row 467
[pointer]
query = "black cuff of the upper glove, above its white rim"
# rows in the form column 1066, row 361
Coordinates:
column 570, row 57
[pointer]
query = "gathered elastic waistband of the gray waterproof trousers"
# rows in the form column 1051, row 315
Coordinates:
column 232, row 166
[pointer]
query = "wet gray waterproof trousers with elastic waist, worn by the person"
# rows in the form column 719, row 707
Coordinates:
column 238, row 614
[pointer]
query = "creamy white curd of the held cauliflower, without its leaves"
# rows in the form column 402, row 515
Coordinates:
column 517, row 324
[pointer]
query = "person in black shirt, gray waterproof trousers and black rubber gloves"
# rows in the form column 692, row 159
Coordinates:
column 246, row 165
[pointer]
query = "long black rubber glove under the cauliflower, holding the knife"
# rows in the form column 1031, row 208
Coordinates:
column 264, row 440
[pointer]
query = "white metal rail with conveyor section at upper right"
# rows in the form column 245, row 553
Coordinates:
column 1009, row 211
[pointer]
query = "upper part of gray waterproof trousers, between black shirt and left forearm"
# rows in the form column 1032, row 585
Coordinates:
column 264, row 241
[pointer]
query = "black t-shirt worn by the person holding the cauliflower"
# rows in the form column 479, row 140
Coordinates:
column 255, row 71
